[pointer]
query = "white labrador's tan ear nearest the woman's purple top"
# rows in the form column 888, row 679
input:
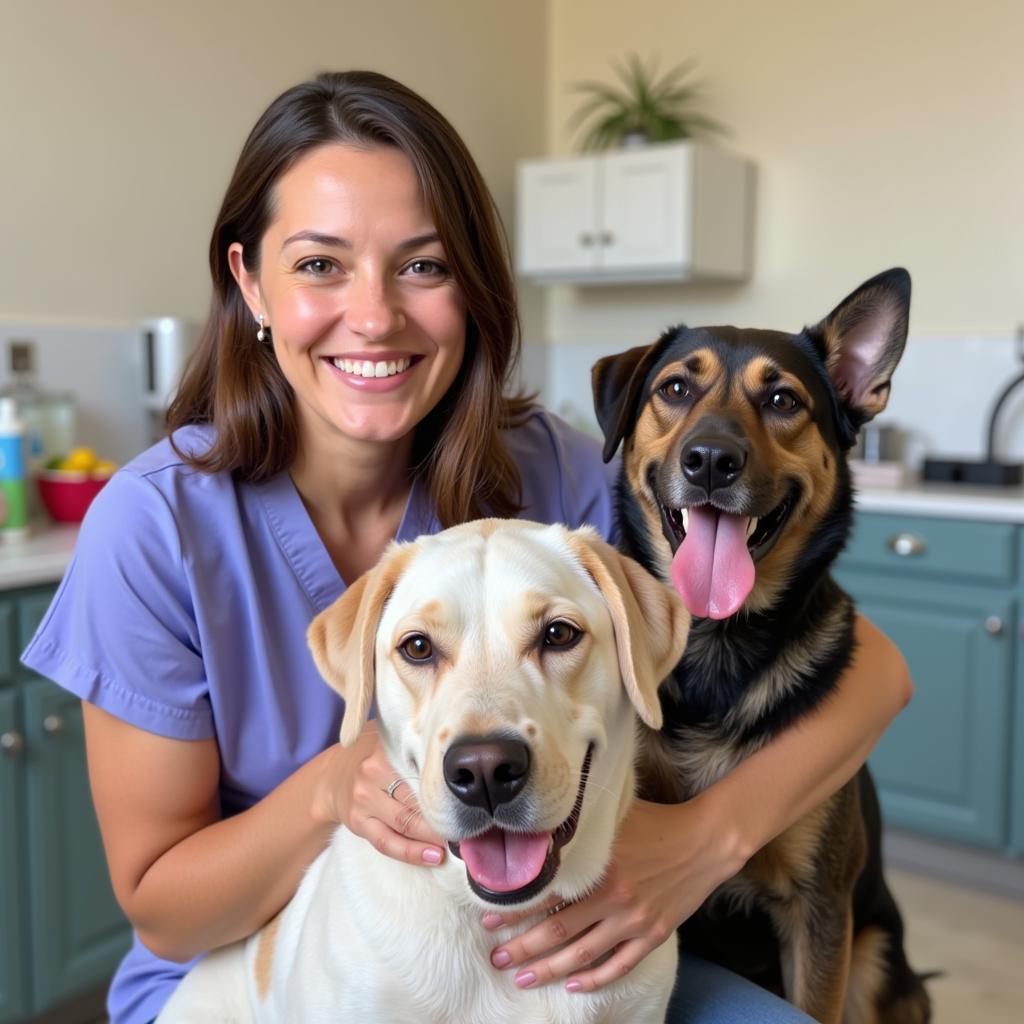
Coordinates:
column 343, row 638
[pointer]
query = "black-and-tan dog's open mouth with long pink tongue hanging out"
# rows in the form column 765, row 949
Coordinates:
column 715, row 551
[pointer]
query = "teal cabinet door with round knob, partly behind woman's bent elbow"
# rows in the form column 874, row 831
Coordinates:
column 78, row 931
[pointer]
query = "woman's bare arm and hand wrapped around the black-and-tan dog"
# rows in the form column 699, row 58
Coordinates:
column 668, row 860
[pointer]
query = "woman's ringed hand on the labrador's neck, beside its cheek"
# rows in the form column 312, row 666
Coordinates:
column 354, row 792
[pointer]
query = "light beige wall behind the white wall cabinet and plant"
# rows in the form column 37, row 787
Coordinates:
column 885, row 133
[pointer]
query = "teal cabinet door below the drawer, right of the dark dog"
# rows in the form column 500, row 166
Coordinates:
column 943, row 766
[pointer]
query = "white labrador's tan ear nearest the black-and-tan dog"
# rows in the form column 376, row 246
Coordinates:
column 651, row 622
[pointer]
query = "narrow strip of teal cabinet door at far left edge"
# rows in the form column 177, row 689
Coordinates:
column 14, row 918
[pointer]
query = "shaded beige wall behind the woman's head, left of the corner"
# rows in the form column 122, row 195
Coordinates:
column 120, row 121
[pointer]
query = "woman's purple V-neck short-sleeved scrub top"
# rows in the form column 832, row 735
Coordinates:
column 185, row 613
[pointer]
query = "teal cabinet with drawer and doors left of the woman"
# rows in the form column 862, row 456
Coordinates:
column 63, row 933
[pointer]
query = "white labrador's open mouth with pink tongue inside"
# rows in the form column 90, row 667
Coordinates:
column 504, row 867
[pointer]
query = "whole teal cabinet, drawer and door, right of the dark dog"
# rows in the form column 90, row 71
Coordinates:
column 949, row 593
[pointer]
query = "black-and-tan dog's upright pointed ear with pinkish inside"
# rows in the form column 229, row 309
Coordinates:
column 863, row 342
